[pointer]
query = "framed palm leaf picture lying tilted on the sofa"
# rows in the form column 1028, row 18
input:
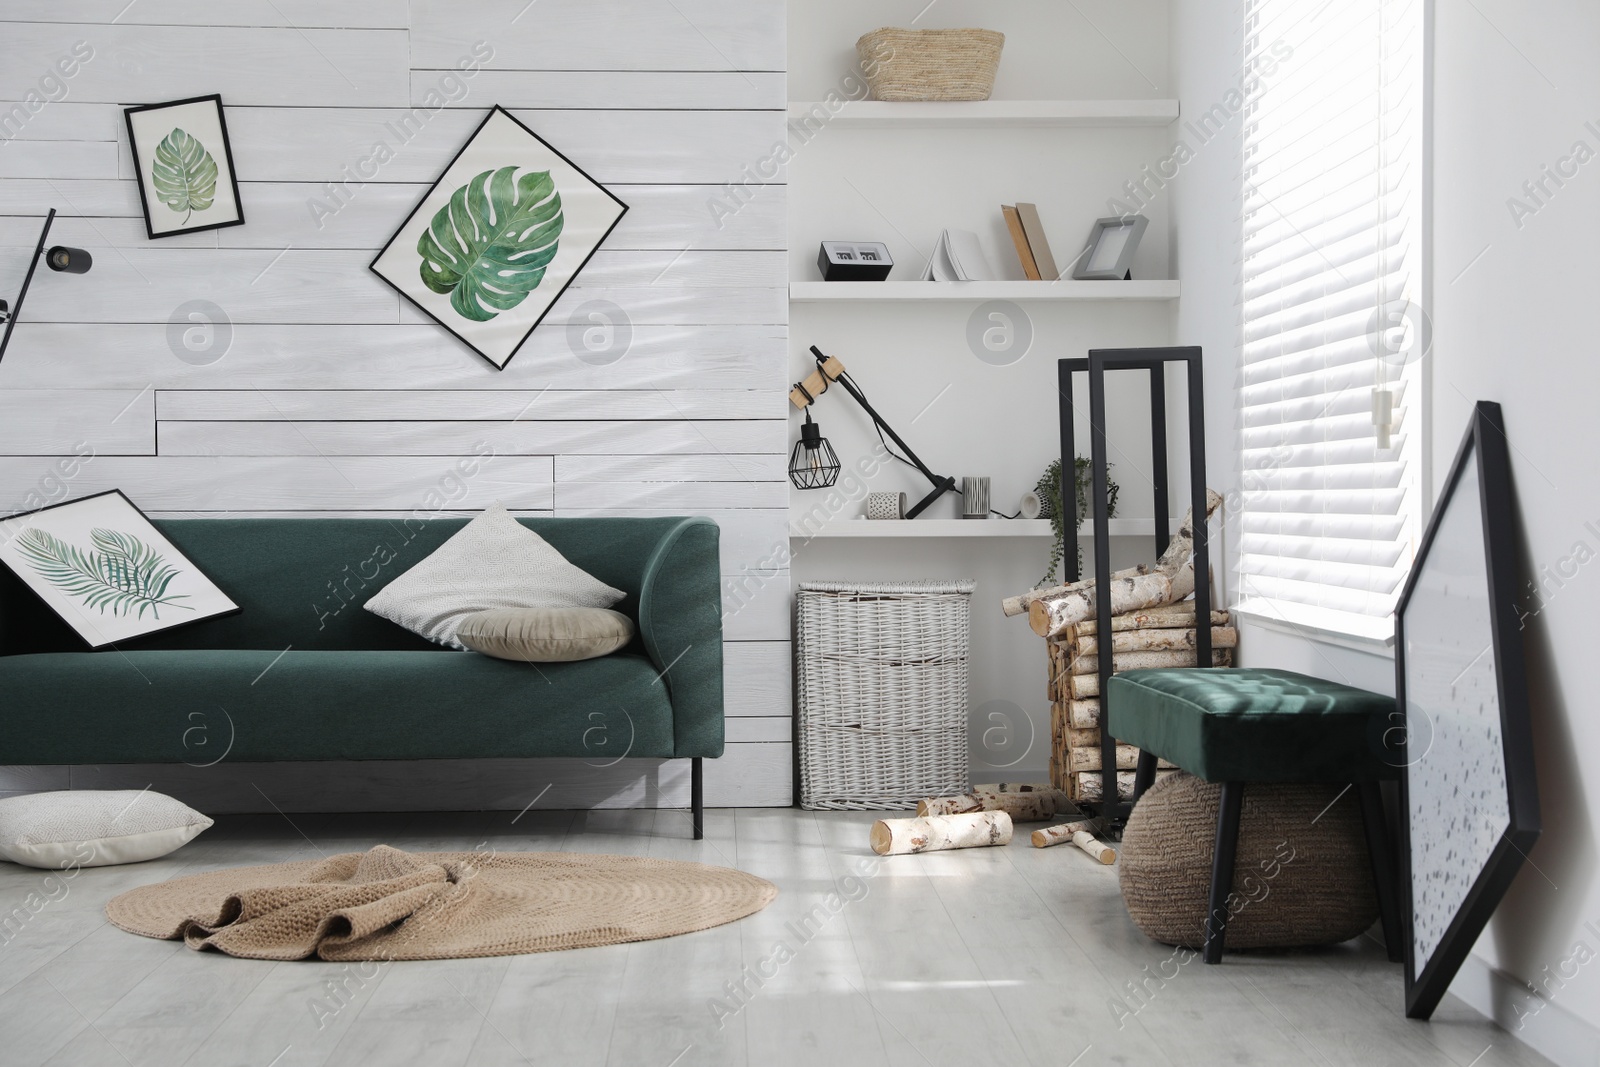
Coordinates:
column 106, row 570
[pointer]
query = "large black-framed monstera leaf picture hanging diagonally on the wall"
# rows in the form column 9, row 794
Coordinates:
column 498, row 238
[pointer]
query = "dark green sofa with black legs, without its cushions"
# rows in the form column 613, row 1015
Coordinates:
column 303, row 673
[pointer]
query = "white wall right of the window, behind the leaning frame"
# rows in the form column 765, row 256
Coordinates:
column 1514, row 90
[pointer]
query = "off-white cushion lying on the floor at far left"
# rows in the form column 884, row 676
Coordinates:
column 95, row 828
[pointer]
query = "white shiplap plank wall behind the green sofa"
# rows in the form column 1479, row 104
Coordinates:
column 335, row 396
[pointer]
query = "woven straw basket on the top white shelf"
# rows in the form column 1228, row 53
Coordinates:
column 930, row 65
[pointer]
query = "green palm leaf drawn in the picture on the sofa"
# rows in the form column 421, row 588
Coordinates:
column 122, row 573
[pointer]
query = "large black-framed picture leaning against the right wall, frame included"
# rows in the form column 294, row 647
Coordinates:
column 1470, row 802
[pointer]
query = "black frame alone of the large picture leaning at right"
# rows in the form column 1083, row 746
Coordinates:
column 1484, row 455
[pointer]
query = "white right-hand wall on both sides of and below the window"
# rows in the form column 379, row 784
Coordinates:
column 1513, row 89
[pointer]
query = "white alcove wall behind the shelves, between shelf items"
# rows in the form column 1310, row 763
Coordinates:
column 959, row 414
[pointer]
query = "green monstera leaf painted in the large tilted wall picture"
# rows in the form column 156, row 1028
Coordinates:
column 490, row 246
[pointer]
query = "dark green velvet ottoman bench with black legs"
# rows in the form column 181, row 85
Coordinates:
column 1239, row 725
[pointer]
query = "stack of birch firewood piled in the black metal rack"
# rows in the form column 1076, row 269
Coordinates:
column 1153, row 626
